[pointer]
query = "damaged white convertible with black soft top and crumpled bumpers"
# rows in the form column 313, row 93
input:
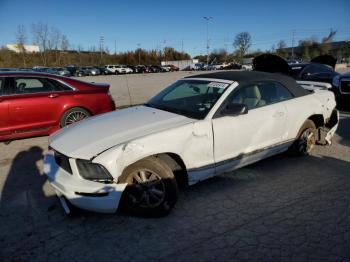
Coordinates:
column 194, row 129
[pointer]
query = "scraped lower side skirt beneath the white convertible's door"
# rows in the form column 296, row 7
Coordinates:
column 202, row 173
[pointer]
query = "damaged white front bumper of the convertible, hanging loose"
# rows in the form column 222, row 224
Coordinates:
column 82, row 193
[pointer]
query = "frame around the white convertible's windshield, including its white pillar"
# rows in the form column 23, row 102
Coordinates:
column 188, row 113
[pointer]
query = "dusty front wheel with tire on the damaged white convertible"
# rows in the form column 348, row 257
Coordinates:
column 152, row 189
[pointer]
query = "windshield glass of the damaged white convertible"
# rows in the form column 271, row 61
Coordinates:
column 191, row 98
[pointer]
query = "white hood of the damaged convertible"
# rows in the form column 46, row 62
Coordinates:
column 92, row 136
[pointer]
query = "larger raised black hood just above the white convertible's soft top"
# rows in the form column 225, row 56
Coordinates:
column 272, row 64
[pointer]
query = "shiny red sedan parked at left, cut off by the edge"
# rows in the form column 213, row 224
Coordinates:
column 35, row 104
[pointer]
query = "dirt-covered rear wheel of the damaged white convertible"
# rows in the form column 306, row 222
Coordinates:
column 306, row 139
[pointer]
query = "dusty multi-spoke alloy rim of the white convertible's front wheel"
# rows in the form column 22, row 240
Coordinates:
column 148, row 189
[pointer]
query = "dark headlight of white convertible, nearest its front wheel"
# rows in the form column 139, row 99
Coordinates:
column 93, row 171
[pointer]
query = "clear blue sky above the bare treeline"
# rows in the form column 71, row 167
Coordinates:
column 126, row 24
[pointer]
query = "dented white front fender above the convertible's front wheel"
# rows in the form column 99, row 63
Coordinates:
column 192, row 142
